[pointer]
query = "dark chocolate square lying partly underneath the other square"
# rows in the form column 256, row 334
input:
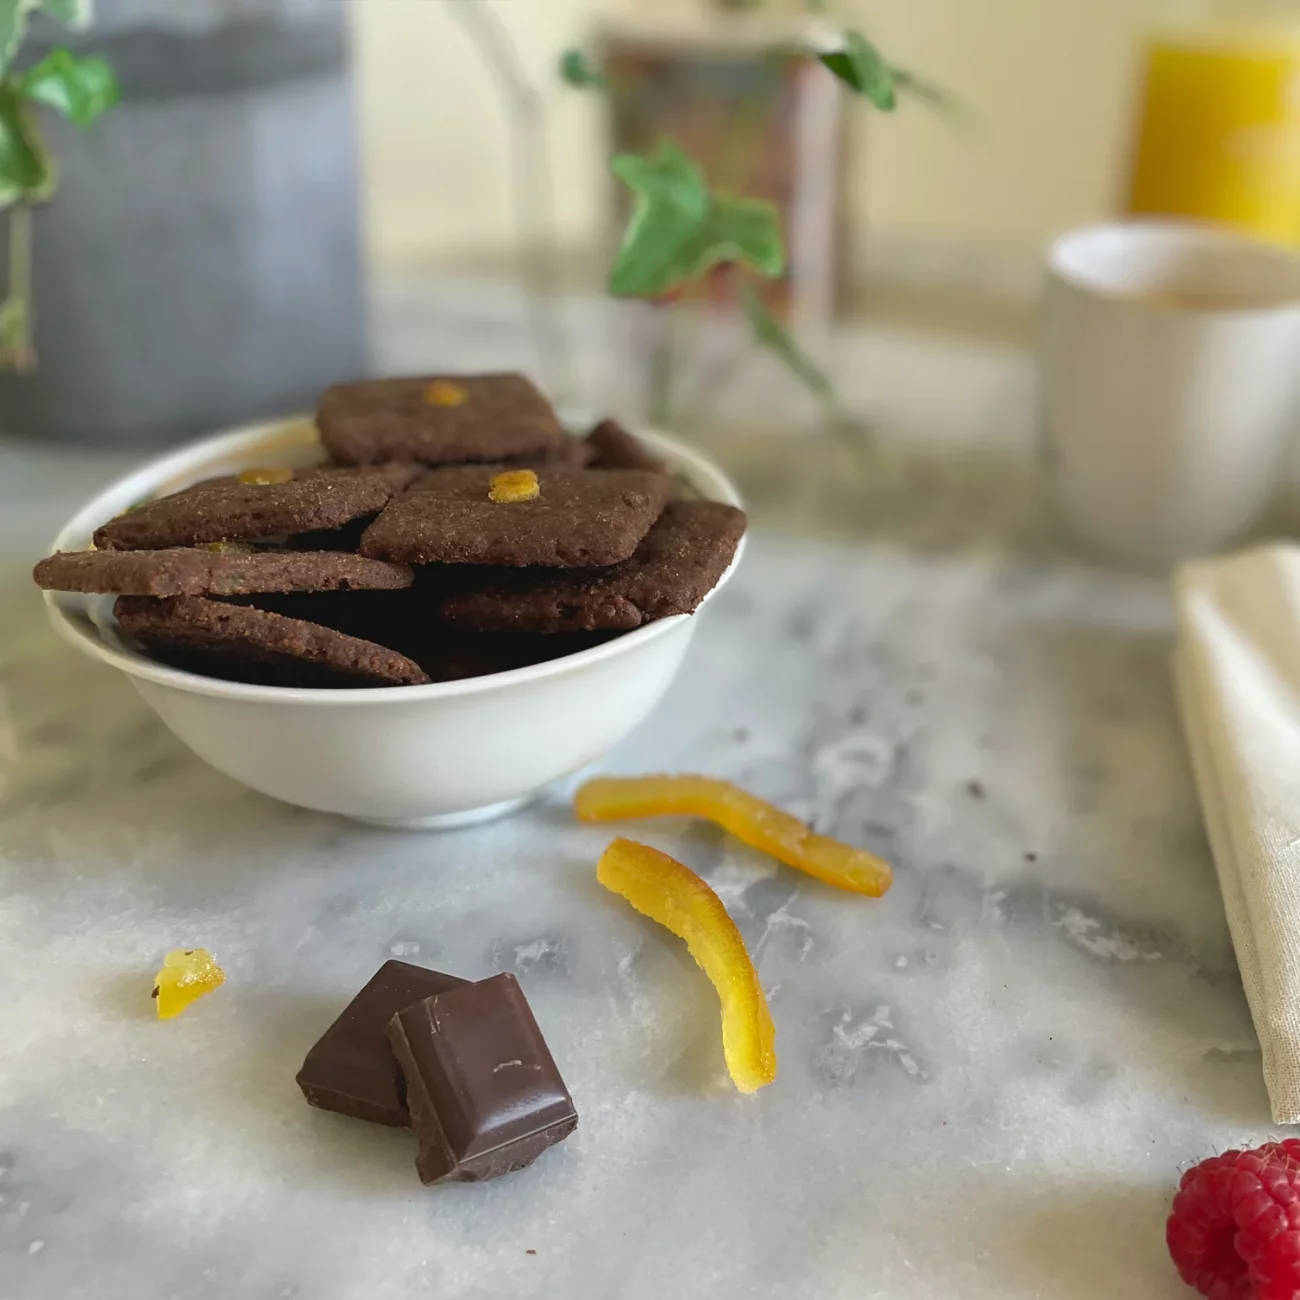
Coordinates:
column 353, row 1069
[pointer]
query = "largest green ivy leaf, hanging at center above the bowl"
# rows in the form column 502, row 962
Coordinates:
column 681, row 231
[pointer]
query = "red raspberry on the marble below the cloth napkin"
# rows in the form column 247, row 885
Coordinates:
column 1234, row 1232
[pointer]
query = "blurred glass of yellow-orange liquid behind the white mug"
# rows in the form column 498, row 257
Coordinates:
column 1219, row 135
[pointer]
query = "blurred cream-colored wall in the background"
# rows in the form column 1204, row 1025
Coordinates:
column 1050, row 83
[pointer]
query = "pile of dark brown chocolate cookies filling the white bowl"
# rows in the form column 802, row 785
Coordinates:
column 400, row 562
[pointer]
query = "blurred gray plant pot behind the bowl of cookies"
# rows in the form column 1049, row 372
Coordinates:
column 201, row 263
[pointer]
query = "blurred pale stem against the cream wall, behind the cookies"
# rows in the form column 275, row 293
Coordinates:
column 532, row 184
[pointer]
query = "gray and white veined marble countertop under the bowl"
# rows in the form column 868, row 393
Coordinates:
column 990, row 1081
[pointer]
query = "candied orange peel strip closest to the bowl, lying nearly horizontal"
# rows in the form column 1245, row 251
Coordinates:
column 760, row 825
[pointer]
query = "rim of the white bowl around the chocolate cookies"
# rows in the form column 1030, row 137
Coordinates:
column 297, row 435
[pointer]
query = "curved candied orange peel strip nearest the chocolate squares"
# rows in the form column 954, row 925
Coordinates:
column 665, row 891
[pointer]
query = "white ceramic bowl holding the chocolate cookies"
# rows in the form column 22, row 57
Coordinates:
column 439, row 756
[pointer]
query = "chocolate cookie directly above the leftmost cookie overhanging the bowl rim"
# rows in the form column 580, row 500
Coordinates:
column 231, row 510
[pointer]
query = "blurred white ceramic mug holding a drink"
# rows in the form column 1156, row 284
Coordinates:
column 1171, row 383
